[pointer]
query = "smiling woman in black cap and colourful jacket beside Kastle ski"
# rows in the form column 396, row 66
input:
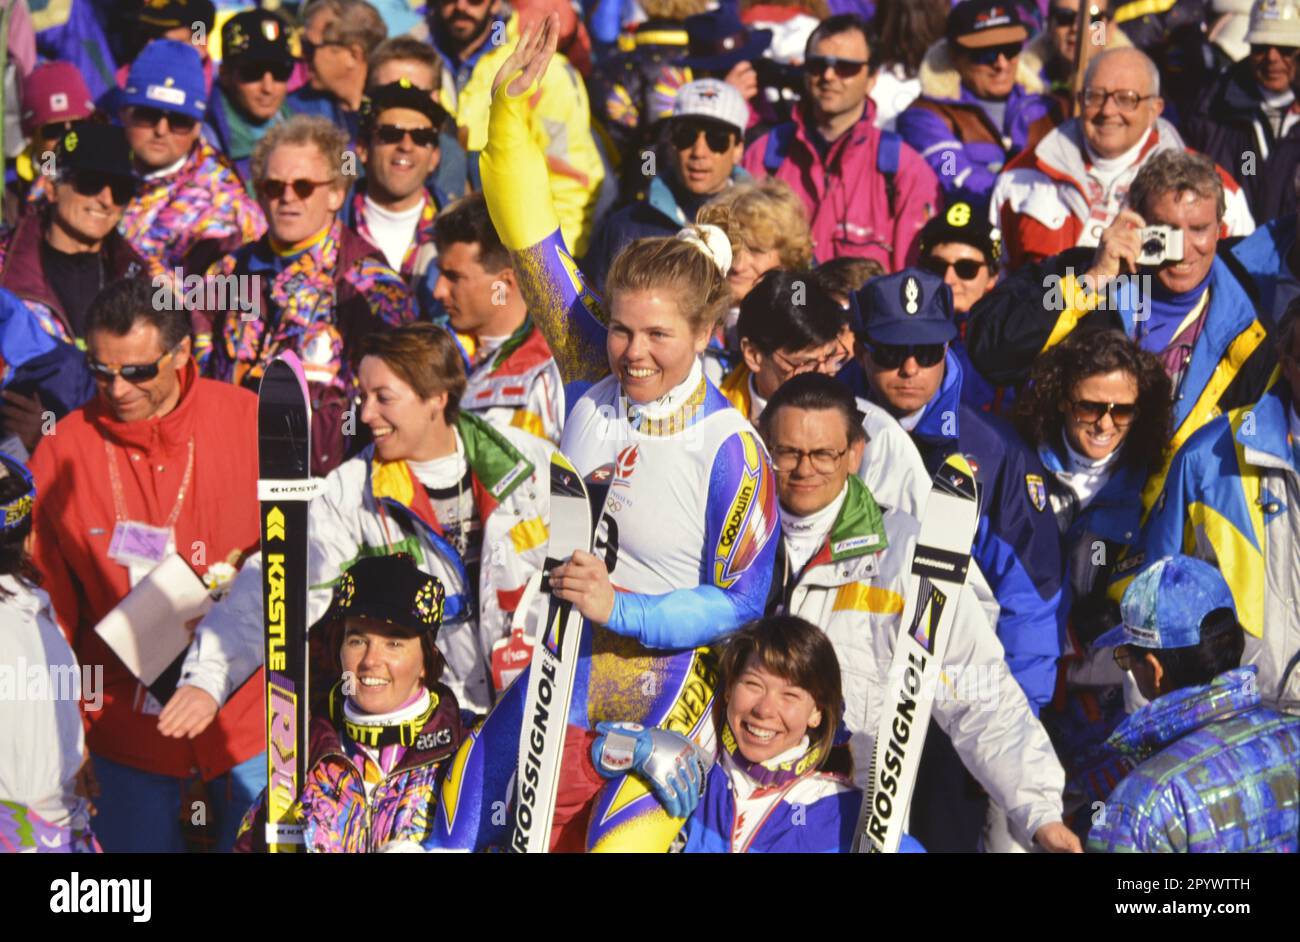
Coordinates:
column 376, row 758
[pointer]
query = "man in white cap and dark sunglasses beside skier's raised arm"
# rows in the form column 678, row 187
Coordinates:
column 705, row 141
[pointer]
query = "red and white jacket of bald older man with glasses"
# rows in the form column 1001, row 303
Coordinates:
column 1047, row 202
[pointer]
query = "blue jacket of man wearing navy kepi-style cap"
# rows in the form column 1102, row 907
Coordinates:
column 1017, row 544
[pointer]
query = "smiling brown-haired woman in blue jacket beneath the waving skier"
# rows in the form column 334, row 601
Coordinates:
column 772, row 788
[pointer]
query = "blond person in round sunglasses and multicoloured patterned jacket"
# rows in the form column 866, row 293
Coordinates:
column 310, row 285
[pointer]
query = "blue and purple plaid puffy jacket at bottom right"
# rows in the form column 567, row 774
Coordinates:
column 1221, row 774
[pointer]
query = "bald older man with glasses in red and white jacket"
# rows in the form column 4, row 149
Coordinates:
column 1068, row 189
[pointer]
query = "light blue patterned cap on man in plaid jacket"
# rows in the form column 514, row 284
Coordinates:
column 1167, row 604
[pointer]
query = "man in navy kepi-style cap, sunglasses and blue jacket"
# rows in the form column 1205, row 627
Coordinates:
column 908, row 324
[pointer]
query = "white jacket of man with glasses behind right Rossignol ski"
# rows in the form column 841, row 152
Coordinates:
column 853, row 589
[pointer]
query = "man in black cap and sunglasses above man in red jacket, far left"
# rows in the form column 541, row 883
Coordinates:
column 57, row 261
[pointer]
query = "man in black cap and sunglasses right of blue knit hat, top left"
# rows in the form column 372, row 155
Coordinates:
column 249, row 97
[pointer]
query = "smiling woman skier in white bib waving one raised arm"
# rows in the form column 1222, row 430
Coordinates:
column 686, row 542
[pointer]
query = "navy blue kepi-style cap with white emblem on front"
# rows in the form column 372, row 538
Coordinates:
column 904, row 309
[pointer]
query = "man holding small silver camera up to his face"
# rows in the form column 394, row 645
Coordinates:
column 1159, row 277
